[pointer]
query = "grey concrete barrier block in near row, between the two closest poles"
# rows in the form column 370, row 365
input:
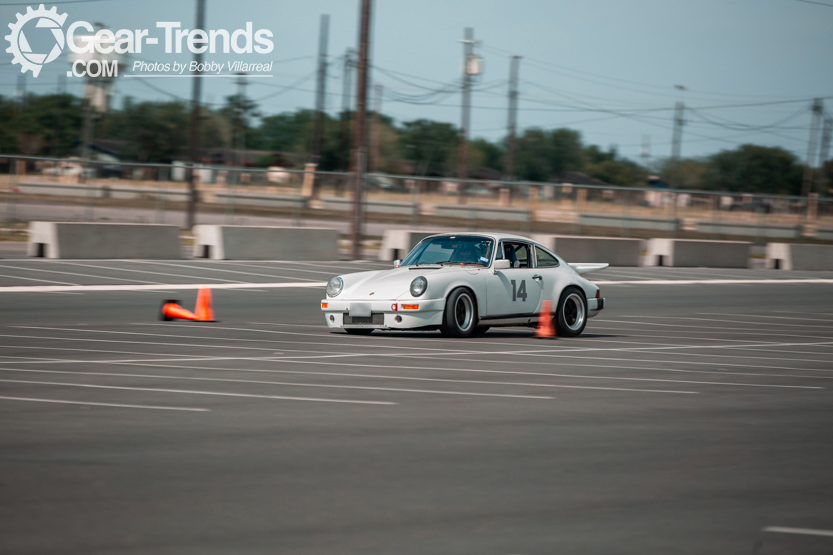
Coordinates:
column 240, row 242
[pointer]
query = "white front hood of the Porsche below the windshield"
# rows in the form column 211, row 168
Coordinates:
column 391, row 284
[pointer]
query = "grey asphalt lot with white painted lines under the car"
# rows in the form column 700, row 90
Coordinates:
column 693, row 416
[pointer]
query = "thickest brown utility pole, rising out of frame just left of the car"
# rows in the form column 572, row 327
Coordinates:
column 359, row 138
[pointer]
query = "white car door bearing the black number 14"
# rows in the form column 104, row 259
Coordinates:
column 514, row 291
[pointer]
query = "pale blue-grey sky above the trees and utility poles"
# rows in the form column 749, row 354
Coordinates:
column 607, row 68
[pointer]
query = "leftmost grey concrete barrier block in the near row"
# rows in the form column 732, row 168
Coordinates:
column 104, row 240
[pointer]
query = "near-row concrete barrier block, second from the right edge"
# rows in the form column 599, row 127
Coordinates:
column 693, row 253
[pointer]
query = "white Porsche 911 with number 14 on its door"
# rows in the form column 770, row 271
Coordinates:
column 463, row 284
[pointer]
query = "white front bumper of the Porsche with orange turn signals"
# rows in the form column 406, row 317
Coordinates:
column 382, row 314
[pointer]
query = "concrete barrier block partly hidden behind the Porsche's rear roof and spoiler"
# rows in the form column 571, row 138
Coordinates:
column 615, row 251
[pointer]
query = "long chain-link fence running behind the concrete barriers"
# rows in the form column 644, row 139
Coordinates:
column 161, row 190
